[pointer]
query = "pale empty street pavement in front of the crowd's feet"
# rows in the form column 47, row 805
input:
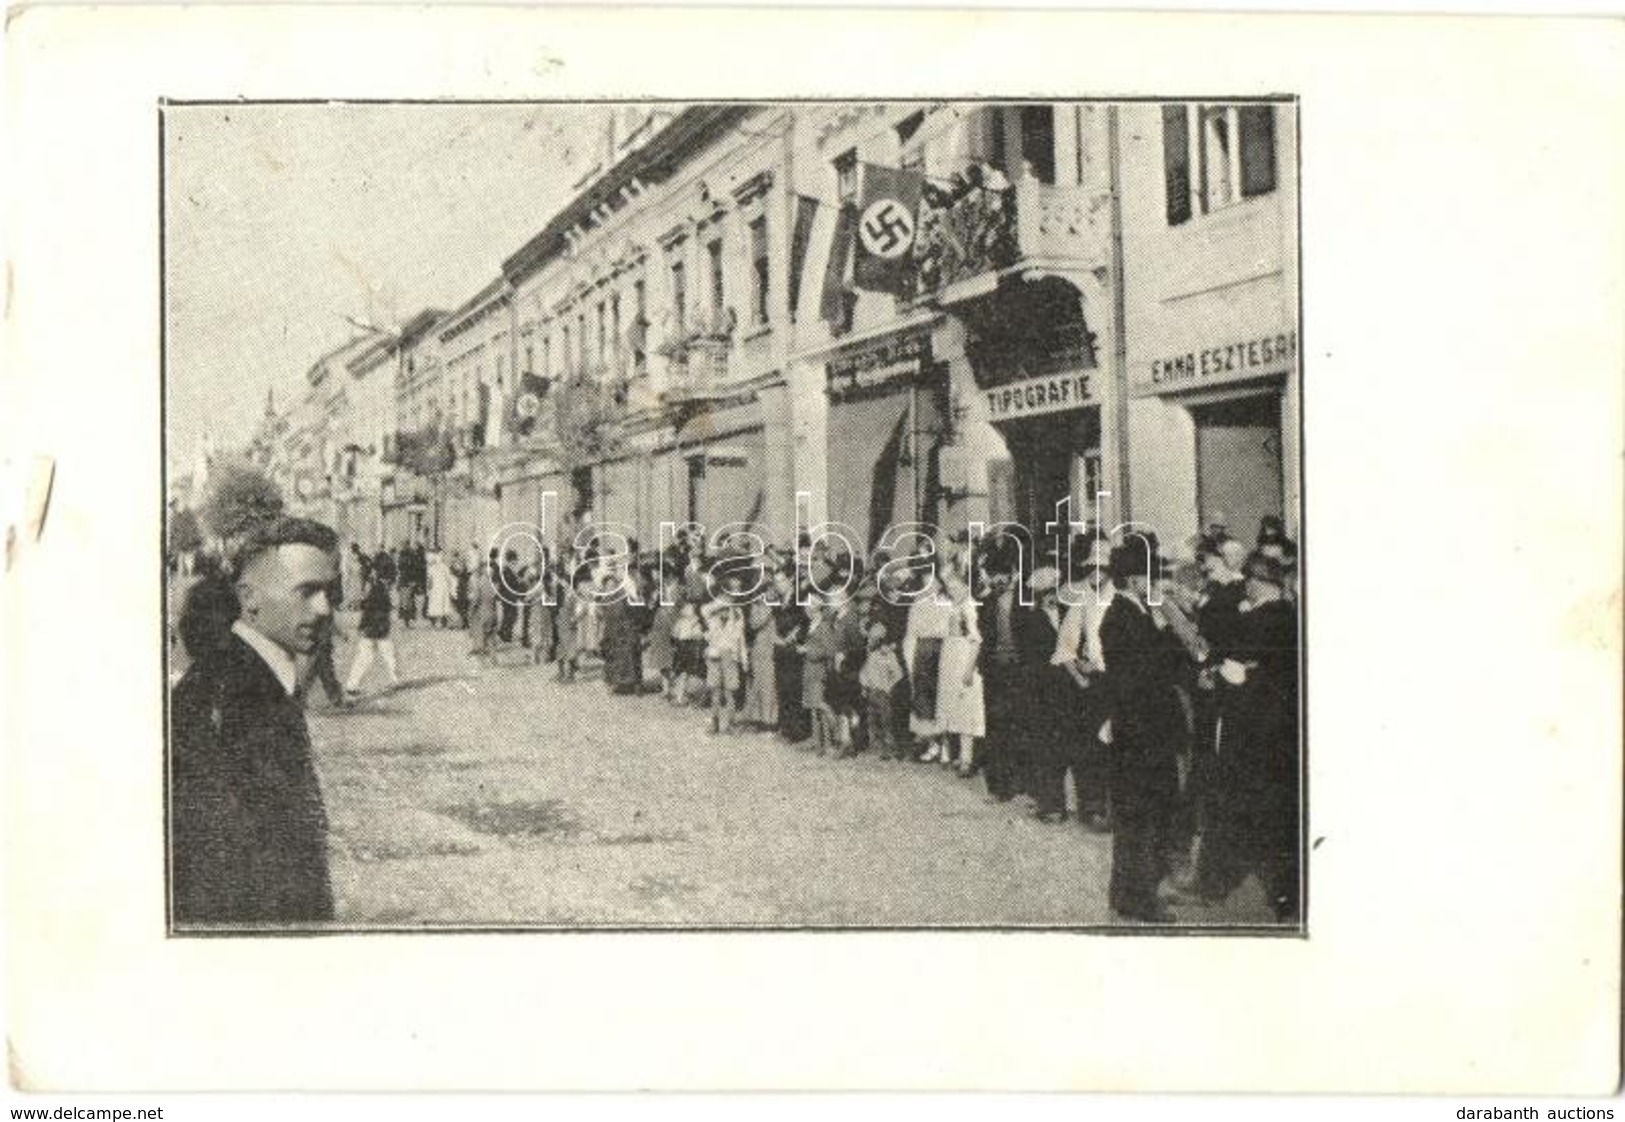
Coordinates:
column 496, row 796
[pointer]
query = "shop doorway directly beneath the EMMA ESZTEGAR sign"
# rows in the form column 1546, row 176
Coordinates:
column 1239, row 461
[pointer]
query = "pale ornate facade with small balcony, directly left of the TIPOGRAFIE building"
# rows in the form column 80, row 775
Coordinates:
column 652, row 318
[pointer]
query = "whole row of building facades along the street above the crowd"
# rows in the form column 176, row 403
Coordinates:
column 867, row 315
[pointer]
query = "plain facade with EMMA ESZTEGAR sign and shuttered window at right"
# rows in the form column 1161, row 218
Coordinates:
column 1211, row 263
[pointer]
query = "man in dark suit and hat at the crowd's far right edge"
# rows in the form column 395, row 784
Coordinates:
column 1254, row 802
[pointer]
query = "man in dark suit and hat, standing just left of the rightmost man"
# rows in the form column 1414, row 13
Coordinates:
column 1143, row 668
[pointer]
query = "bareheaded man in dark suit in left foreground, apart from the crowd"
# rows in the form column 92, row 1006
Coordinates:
column 248, row 822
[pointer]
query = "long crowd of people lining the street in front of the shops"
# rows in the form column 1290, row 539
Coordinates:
column 1168, row 694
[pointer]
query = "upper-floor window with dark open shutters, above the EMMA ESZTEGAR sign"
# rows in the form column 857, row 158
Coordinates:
column 1229, row 149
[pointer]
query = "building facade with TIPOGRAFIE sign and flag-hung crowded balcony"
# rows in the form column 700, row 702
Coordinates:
column 976, row 389
